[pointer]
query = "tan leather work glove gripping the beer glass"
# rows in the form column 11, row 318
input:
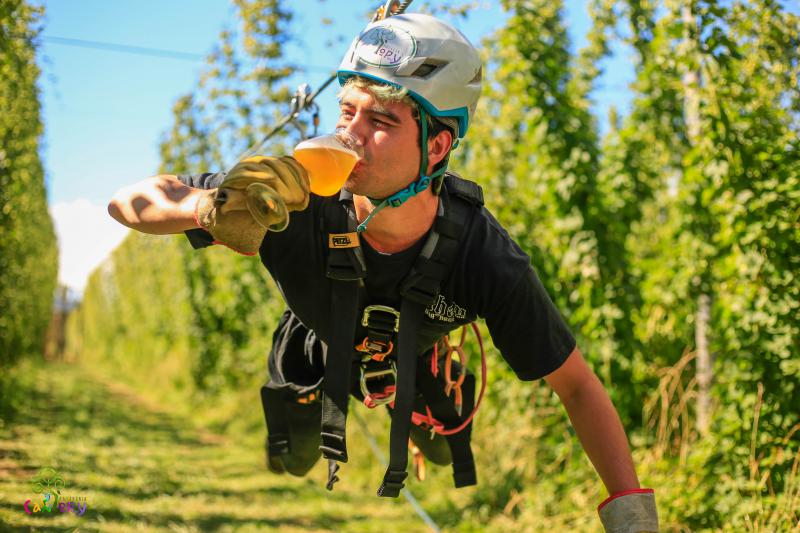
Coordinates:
column 257, row 194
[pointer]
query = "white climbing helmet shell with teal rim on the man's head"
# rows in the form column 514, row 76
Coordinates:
column 433, row 60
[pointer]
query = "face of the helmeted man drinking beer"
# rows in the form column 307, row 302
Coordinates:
column 389, row 134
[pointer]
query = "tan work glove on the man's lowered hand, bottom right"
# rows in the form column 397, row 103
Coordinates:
column 631, row 511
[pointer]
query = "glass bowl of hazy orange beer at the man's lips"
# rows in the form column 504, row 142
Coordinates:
column 329, row 159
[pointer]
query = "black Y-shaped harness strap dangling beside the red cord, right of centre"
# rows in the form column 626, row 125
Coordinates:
column 443, row 409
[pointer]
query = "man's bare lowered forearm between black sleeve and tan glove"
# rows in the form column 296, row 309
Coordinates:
column 600, row 431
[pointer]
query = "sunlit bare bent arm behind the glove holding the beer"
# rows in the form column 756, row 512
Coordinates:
column 159, row 205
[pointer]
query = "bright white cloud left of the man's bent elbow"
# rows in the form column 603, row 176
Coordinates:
column 86, row 236
